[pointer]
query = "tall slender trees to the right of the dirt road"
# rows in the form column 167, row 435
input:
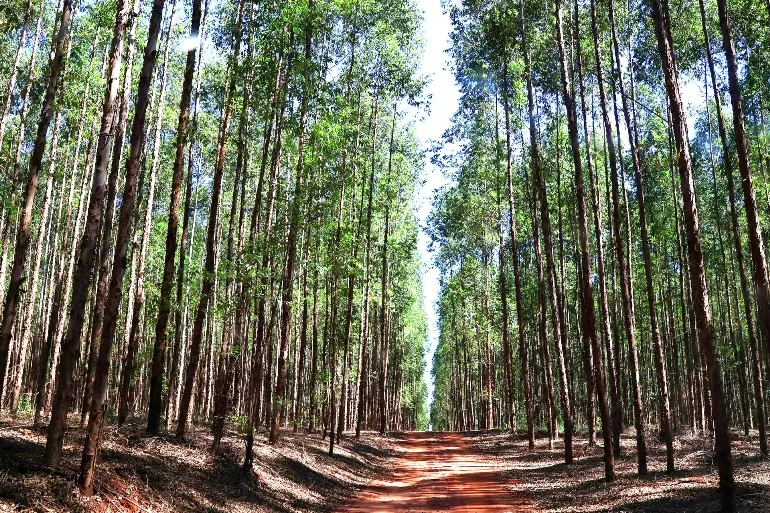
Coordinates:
column 602, row 246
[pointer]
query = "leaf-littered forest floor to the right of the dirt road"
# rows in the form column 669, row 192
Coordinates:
column 551, row 486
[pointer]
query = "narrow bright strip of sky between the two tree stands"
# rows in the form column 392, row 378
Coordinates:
column 444, row 99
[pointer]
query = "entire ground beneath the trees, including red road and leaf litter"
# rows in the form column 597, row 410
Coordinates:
column 484, row 472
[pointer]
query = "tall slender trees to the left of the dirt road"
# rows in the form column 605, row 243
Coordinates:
column 208, row 216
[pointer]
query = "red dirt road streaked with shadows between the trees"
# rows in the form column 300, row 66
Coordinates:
column 439, row 472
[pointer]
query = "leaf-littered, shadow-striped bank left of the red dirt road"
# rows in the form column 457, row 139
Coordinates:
column 138, row 472
